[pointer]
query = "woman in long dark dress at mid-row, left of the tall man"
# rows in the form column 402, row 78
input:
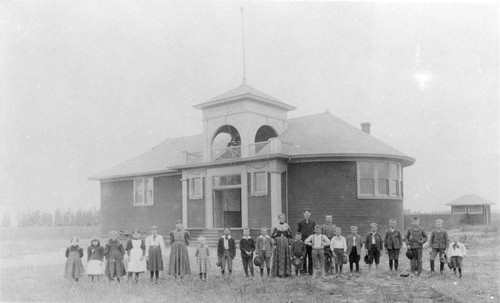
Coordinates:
column 281, row 235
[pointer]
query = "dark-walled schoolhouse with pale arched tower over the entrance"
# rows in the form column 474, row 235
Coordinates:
column 251, row 163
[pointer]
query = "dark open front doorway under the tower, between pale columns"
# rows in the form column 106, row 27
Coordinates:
column 227, row 207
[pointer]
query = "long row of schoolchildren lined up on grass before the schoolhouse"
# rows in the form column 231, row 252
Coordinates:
column 147, row 255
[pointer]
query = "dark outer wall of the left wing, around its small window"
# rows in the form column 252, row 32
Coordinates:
column 119, row 213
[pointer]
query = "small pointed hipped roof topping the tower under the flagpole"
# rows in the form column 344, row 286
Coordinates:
column 244, row 91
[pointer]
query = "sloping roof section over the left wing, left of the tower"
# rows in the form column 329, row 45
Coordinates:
column 157, row 160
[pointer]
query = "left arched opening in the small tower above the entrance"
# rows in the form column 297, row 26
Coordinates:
column 226, row 143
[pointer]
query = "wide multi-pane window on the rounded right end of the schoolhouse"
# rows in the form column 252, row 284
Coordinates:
column 375, row 178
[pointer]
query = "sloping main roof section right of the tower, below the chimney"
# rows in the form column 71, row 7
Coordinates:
column 325, row 134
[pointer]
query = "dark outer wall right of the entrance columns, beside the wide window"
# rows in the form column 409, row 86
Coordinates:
column 330, row 188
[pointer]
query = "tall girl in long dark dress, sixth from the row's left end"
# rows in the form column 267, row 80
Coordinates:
column 179, row 258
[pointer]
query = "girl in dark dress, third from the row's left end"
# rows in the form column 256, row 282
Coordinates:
column 114, row 258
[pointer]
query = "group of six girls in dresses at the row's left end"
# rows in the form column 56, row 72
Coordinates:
column 139, row 255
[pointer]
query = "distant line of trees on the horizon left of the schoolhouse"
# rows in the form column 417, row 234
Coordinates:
column 58, row 217
